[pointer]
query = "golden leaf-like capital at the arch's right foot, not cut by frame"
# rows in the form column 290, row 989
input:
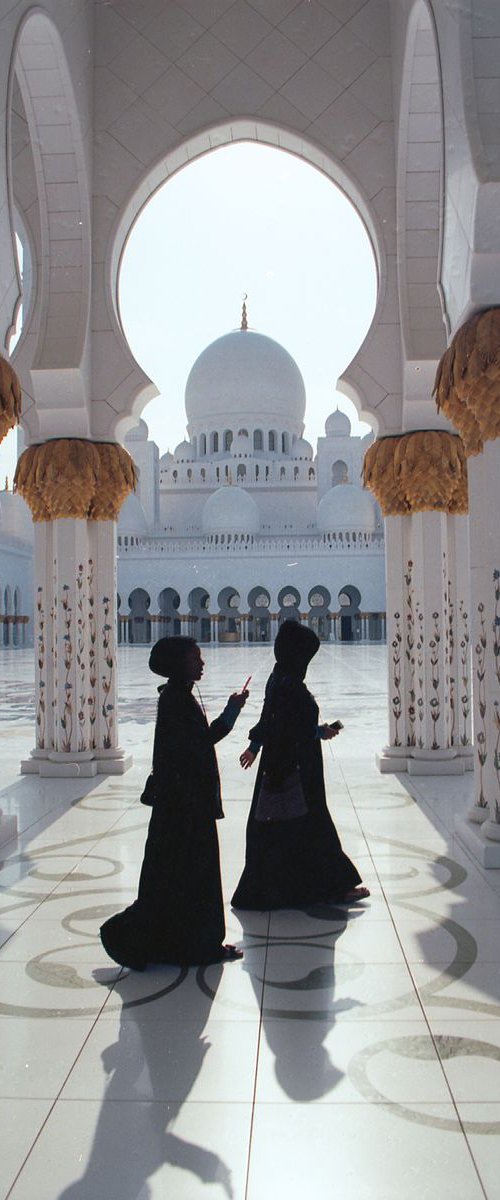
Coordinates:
column 419, row 472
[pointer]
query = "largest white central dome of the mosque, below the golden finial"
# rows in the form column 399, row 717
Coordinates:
column 245, row 374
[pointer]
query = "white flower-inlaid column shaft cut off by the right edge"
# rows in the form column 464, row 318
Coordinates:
column 483, row 830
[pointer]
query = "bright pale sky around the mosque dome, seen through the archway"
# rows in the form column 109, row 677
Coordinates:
column 245, row 219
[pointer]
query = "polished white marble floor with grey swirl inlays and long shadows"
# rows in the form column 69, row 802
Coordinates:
column 350, row 1057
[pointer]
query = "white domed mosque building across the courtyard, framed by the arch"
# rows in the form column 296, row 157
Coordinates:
column 244, row 526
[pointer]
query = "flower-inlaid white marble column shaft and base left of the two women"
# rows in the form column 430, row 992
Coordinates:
column 76, row 650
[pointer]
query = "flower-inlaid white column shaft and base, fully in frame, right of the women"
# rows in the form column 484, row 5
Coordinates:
column 429, row 645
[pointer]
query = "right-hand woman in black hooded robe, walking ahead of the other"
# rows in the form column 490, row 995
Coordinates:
column 293, row 855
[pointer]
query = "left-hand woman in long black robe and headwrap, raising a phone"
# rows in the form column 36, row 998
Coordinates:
column 179, row 915
